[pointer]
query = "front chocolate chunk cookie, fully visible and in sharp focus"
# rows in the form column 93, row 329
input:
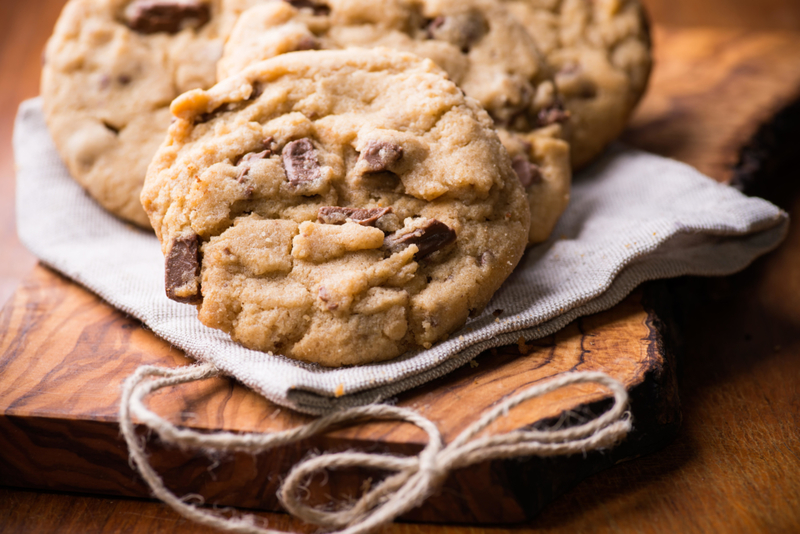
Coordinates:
column 337, row 207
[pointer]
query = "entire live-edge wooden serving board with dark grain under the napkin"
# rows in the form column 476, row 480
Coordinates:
column 64, row 353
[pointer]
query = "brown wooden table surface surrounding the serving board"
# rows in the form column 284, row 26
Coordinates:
column 735, row 466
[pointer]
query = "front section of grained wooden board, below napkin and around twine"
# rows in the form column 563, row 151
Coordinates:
column 59, row 393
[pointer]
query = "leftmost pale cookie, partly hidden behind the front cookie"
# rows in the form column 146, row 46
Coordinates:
column 111, row 69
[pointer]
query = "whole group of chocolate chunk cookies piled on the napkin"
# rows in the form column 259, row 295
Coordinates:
column 339, row 181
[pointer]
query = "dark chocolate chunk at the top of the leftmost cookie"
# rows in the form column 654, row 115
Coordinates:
column 171, row 16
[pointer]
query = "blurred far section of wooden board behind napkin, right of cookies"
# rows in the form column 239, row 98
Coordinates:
column 710, row 92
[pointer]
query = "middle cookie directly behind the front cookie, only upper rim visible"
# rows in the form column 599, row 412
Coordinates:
column 481, row 46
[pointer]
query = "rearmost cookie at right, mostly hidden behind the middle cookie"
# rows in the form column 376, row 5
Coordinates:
column 599, row 51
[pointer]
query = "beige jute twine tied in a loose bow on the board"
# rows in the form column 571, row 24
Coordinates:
column 414, row 479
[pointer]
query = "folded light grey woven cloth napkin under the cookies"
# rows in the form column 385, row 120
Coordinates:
column 633, row 217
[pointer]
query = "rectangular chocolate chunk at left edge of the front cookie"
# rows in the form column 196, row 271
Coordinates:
column 182, row 269
